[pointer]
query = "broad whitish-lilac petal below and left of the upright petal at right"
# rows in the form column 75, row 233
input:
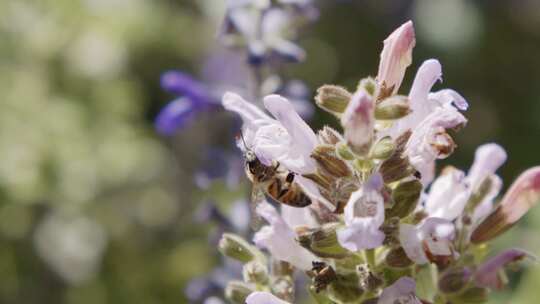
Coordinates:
column 448, row 195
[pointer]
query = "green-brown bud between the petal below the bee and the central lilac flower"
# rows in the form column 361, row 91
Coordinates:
column 323, row 242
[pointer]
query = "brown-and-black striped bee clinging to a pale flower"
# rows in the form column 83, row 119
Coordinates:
column 273, row 181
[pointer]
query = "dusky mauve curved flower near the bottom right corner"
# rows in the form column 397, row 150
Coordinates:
column 487, row 274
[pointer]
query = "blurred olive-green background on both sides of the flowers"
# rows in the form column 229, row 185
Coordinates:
column 97, row 208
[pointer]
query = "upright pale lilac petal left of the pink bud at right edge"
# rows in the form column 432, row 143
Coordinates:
column 487, row 159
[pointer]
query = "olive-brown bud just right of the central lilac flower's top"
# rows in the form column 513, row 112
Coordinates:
column 405, row 197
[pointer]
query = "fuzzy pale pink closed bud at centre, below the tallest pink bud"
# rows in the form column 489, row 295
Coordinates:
column 358, row 122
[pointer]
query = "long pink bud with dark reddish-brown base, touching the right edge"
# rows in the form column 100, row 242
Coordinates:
column 522, row 195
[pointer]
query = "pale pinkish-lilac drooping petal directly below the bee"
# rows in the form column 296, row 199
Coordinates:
column 279, row 239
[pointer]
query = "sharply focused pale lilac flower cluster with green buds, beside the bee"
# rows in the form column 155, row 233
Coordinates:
column 380, row 221
